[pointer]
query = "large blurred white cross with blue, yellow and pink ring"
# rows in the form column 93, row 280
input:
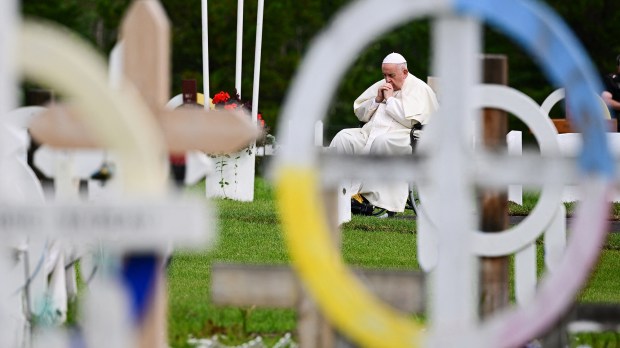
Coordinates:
column 449, row 170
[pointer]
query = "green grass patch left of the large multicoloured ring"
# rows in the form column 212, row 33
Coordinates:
column 249, row 232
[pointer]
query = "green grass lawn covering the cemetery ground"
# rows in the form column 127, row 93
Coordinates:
column 250, row 233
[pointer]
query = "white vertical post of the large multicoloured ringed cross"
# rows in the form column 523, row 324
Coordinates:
column 454, row 313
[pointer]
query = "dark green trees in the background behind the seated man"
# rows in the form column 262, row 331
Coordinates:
column 288, row 31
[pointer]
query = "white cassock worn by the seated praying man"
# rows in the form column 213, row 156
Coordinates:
column 386, row 132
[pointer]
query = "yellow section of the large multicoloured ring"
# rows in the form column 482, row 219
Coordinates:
column 342, row 297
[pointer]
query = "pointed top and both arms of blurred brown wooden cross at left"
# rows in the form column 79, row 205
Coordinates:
column 145, row 33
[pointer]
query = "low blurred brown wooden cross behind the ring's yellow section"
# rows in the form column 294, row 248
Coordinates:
column 271, row 286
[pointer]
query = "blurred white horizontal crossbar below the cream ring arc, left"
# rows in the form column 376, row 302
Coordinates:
column 124, row 224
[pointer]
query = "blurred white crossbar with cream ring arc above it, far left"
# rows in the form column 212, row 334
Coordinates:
column 132, row 224
